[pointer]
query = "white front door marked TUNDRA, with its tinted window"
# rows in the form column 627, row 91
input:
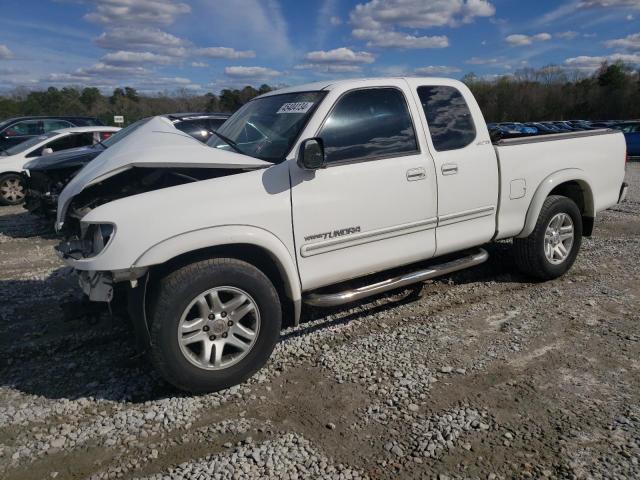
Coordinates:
column 374, row 206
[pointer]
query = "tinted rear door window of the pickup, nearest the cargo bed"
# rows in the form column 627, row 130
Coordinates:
column 448, row 116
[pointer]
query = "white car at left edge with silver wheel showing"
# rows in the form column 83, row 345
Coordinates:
column 12, row 160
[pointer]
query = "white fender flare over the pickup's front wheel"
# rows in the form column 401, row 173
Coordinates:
column 224, row 235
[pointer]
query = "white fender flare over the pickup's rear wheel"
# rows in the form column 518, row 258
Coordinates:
column 544, row 189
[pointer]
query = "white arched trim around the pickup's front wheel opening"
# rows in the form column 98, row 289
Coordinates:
column 250, row 244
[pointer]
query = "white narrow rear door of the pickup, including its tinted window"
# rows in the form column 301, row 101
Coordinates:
column 466, row 165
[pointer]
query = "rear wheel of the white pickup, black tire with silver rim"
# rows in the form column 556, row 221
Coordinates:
column 530, row 255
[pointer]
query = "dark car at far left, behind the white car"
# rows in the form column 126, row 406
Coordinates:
column 16, row 130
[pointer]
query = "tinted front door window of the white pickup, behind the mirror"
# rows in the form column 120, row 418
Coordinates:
column 369, row 123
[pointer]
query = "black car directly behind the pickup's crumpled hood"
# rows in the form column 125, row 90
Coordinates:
column 48, row 175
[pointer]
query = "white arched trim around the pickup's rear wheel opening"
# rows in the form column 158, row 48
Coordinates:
column 571, row 183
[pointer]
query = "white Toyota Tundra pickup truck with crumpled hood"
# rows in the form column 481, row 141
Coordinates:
column 303, row 189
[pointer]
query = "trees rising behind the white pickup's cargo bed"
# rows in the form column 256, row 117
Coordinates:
column 554, row 93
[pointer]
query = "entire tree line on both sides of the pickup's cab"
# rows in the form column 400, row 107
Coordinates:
column 548, row 93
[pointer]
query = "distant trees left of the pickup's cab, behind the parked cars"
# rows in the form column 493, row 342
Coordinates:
column 124, row 101
